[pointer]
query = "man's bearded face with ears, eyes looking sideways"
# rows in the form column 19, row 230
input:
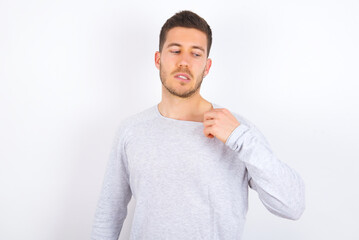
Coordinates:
column 184, row 51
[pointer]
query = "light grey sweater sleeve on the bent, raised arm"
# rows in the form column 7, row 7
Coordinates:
column 279, row 187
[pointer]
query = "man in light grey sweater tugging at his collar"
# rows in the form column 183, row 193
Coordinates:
column 188, row 162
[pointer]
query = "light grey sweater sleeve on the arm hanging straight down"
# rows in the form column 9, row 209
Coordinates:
column 115, row 194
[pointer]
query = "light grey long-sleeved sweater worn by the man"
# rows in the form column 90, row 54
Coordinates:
column 188, row 186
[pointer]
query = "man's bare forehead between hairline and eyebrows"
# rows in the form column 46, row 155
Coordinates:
column 186, row 37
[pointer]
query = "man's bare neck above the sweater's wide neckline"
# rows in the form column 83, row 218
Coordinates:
column 186, row 109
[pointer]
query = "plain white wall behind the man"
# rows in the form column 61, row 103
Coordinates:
column 70, row 71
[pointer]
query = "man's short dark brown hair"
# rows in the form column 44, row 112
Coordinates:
column 186, row 19
